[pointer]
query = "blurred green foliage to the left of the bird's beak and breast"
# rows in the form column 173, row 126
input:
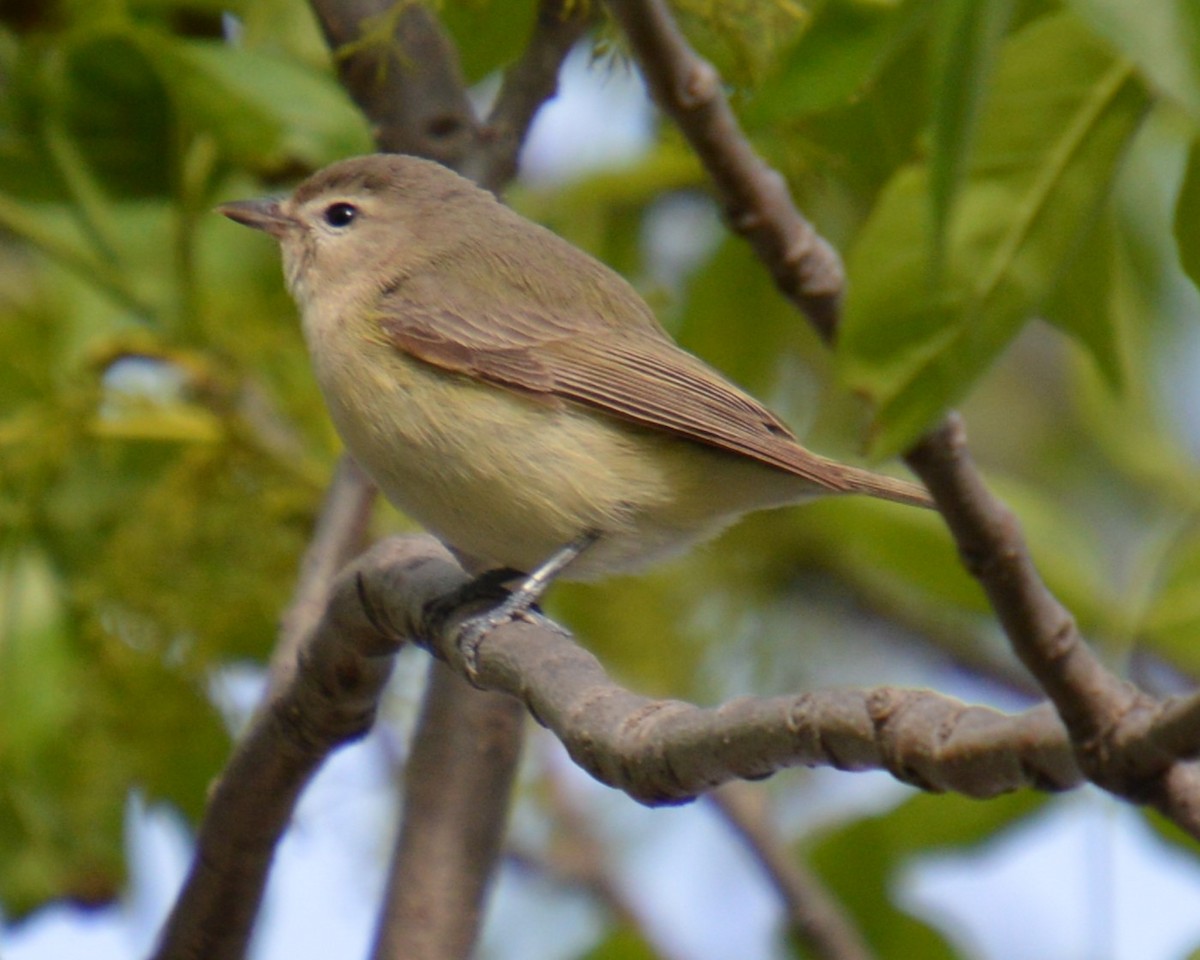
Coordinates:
column 161, row 447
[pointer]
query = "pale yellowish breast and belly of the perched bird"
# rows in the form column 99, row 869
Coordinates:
column 509, row 479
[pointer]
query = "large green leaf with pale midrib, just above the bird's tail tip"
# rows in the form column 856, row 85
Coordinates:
column 1058, row 122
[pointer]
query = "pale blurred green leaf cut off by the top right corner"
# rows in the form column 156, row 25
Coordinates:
column 1163, row 38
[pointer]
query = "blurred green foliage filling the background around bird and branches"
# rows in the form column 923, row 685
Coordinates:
column 1016, row 185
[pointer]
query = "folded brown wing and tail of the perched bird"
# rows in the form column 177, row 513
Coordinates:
column 632, row 371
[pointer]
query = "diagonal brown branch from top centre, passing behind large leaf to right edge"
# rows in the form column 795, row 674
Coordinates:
column 1103, row 713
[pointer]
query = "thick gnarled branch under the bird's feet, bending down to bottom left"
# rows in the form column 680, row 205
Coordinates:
column 658, row 752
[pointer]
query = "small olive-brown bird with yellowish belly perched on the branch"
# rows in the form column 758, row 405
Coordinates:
column 513, row 394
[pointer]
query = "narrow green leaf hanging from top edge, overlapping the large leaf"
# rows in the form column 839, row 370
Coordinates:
column 968, row 39
